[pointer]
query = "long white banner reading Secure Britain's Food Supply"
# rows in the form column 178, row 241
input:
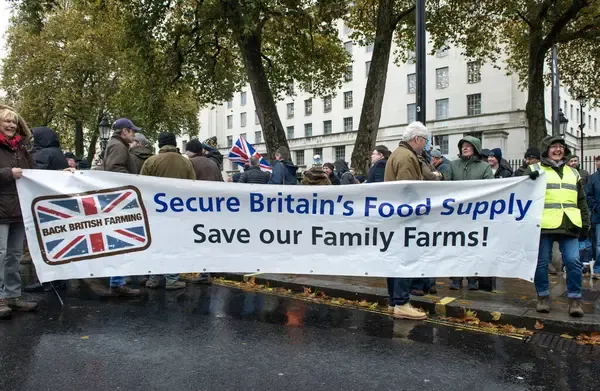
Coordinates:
column 97, row 224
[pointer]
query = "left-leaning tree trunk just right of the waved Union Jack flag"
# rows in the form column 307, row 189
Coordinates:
column 273, row 133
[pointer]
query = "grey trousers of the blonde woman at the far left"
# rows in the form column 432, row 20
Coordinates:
column 12, row 237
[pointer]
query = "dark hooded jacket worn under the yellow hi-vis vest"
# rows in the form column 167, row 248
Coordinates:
column 566, row 227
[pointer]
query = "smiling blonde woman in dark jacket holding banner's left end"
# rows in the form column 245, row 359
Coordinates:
column 14, row 157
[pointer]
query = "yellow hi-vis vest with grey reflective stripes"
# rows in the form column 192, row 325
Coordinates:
column 561, row 197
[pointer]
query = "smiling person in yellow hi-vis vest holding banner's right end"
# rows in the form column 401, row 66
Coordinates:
column 564, row 220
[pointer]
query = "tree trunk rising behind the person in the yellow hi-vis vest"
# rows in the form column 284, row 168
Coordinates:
column 535, row 108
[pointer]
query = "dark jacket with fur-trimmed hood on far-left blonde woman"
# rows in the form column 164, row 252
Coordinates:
column 10, row 210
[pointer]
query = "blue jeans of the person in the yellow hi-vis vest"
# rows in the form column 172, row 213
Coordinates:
column 569, row 248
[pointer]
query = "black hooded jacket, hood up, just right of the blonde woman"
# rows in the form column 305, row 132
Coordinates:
column 46, row 150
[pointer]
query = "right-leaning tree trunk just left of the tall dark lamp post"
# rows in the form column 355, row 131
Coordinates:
column 375, row 88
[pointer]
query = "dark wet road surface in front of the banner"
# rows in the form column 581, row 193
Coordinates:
column 220, row 338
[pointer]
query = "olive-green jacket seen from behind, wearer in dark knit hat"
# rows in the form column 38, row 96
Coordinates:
column 169, row 164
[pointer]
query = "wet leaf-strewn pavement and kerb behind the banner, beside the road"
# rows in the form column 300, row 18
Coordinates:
column 514, row 299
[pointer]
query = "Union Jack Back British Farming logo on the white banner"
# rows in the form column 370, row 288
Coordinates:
column 91, row 225
